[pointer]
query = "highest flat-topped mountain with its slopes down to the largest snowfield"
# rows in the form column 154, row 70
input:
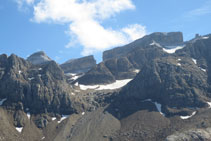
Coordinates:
column 124, row 62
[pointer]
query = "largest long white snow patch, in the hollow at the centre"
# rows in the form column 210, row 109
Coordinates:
column 116, row 85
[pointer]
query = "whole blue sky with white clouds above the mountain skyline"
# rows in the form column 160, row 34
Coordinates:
column 67, row 29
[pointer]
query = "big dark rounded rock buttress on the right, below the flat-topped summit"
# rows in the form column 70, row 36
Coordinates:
column 172, row 81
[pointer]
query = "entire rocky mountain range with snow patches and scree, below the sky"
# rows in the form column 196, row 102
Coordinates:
column 157, row 88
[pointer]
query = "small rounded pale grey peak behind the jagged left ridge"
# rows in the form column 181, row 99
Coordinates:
column 38, row 58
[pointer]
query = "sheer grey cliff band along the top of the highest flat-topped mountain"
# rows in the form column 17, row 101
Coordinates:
column 164, row 39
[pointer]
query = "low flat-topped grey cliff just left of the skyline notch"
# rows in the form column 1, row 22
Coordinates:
column 79, row 65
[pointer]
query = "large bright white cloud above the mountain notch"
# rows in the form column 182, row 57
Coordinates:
column 85, row 18
